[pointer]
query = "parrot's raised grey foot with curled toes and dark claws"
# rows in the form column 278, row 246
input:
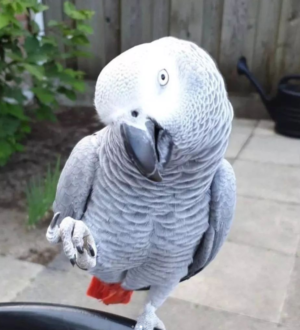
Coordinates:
column 78, row 243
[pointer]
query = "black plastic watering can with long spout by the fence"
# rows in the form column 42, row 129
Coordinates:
column 284, row 108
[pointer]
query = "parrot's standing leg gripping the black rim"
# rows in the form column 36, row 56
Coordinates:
column 156, row 297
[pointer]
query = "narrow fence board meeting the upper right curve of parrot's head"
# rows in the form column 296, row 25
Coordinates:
column 212, row 24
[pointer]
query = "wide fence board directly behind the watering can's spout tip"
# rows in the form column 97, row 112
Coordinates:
column 238, row 37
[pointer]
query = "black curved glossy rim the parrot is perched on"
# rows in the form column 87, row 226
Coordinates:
column 31, row 316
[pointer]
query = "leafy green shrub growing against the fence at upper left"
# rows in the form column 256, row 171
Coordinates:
column 26, row 54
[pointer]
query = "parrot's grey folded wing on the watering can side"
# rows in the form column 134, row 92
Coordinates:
column 222, row 207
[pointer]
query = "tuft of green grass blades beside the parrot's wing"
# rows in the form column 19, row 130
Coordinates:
column 40, row 194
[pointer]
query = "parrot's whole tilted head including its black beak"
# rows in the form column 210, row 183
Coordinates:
column 163, row 95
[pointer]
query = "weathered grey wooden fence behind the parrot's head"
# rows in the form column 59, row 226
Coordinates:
column 266, row 32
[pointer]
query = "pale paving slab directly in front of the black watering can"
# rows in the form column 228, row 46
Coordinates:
column 272, row 149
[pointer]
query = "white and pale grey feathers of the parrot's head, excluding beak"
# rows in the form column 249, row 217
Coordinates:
column 190, row 105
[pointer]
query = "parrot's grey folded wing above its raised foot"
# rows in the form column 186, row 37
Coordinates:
column 76, row 180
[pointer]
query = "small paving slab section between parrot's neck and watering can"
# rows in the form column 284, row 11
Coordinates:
column 241, row 131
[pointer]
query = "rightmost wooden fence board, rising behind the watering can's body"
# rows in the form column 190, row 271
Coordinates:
column 287, row 60
